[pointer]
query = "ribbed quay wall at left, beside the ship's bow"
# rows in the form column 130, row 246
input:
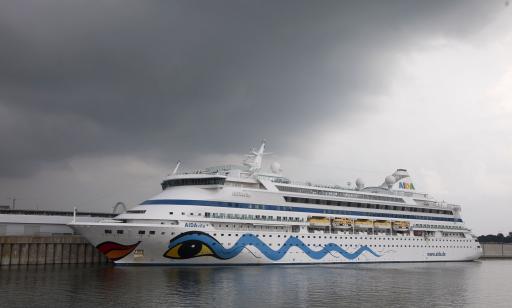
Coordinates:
column 64, row 249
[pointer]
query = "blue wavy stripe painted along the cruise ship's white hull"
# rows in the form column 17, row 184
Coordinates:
column 250, row 239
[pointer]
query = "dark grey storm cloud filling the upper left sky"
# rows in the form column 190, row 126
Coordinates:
column 181, row 77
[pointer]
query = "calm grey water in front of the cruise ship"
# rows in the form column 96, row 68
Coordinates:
column 478, row 284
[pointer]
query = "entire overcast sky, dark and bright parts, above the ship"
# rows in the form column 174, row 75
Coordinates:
column 98, row 100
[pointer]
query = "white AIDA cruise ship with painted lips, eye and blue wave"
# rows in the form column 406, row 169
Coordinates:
column 239, row 214
